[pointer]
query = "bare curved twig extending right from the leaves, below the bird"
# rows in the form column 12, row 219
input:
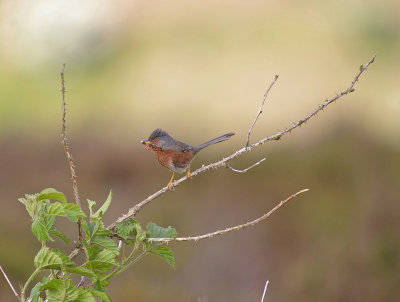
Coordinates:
column 235, row 228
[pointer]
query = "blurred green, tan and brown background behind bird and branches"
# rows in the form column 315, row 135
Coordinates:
column 199, row 69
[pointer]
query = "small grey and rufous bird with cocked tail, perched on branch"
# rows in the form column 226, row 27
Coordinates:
column 175, row 155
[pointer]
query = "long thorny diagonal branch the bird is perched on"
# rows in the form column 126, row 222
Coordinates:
column 132, row 212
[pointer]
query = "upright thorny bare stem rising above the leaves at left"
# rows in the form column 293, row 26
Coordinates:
column 64, row 141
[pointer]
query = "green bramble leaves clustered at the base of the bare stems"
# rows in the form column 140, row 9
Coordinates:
column 103, row 257
